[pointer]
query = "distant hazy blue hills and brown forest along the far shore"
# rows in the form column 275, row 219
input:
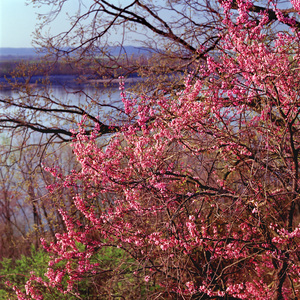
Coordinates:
column 33, row 63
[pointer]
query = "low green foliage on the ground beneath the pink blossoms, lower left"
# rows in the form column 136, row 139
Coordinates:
column 116, row 269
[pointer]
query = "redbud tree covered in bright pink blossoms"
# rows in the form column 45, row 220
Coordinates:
column 199, row 192
